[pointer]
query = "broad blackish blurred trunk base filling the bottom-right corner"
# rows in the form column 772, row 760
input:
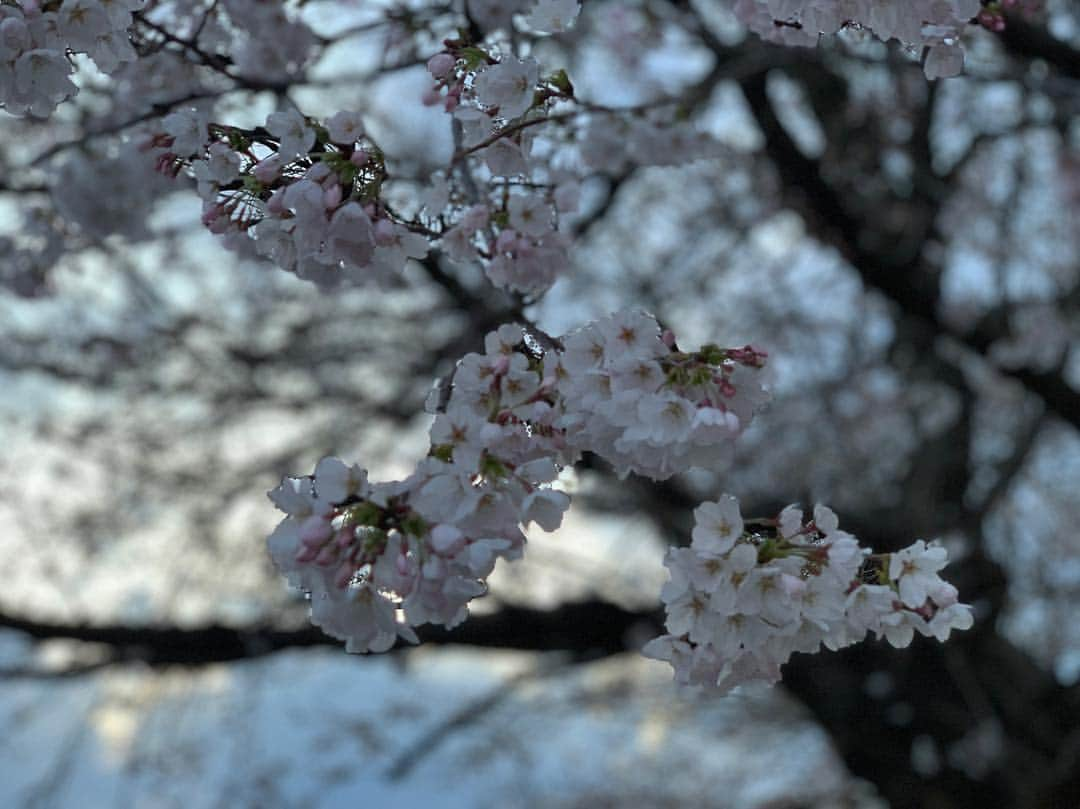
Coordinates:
column 876, row 704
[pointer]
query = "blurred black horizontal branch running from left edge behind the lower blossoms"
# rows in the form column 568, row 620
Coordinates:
column 585, row 630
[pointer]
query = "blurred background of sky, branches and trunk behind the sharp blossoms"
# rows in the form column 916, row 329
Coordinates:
column 908, row 252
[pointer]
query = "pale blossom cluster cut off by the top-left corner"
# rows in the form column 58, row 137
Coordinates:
column 36, row 38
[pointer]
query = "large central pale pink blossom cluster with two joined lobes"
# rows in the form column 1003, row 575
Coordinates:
column 382, row 559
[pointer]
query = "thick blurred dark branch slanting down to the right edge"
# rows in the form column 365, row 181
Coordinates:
column 907, row 282
